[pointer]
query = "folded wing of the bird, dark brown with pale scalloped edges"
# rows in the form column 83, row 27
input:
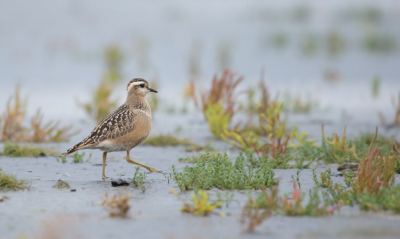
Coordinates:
column 119, row 123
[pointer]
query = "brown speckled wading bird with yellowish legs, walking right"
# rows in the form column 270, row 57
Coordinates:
column 123, row 129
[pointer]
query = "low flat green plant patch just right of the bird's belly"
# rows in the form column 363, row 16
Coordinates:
column 170, row 140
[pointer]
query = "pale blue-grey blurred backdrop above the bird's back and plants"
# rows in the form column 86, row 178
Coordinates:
column 343, row 55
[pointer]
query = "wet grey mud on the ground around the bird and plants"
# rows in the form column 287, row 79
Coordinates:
column 155, row 213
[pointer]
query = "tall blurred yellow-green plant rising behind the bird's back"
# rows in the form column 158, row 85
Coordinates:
column 101, row 105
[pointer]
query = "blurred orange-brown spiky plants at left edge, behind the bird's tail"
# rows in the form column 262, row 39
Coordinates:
column 13, row 130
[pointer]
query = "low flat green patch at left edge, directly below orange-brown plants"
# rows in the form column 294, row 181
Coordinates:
column 15, row 150
